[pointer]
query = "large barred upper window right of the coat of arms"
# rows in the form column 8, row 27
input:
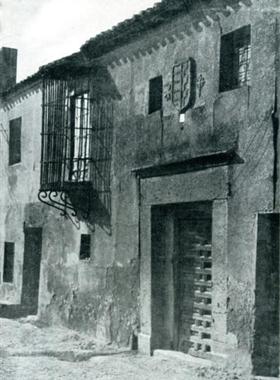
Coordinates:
column 235, row 59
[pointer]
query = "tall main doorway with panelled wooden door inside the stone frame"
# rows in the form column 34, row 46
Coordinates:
column 182, row 277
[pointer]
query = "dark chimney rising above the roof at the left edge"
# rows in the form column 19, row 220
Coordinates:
column 8, row 68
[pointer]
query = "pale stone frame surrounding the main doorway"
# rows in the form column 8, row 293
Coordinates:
column 205, row 185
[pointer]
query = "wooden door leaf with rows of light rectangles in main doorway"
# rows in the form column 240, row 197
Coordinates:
column 193, row 281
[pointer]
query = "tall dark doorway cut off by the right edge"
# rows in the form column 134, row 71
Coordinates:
column 266, row 339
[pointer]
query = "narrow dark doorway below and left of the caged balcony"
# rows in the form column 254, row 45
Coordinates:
column 30, row 277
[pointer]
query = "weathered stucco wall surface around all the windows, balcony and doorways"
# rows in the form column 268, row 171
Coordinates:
column 106, row 295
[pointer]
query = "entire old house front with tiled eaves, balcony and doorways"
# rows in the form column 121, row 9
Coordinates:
column 159, row 147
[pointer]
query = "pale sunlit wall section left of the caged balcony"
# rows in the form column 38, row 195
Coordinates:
column 19, row 182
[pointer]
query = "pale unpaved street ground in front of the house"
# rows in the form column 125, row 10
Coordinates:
column 29, row 351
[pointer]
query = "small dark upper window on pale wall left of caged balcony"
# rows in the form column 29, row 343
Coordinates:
column 15, row 141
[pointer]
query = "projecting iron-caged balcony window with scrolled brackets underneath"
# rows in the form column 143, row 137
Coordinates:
column 76, row 148
